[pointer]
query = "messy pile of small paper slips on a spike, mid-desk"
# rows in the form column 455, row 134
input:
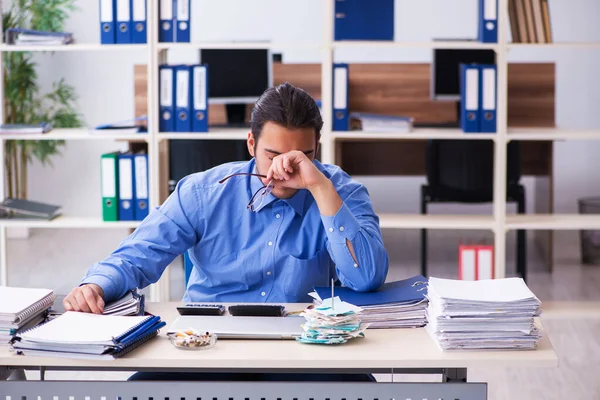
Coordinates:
column 333, row 322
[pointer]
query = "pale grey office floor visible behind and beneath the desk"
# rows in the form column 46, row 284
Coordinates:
column 59, row 258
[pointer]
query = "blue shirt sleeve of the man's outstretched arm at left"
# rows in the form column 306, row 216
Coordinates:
column 141, row 258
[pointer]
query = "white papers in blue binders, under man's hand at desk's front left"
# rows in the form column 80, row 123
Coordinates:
column 84, row 335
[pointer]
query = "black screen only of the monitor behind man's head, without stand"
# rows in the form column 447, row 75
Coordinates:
column 236, row 73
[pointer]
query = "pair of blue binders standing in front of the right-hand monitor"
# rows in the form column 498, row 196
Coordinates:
column 478, row 97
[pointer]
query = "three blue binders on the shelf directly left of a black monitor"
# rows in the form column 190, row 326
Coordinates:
column 183, row 98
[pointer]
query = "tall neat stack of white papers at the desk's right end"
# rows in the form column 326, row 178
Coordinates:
column 492, row 314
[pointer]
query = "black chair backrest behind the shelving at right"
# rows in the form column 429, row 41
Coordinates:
column 468, row 165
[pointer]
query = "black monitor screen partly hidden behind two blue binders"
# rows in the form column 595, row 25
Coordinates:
column 446, row 64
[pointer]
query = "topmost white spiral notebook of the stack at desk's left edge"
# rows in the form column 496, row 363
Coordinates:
column 20, row 304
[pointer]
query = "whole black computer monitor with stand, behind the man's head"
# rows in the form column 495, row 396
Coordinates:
column 237, row 77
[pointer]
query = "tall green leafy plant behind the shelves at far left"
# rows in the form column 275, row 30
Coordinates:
column 23, row 102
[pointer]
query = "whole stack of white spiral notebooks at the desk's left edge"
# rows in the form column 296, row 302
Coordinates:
column 21, row 309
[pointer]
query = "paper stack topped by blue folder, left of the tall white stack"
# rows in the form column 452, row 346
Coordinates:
column 399, row 304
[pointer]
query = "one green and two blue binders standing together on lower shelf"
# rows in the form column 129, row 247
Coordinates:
column 124, row 177
